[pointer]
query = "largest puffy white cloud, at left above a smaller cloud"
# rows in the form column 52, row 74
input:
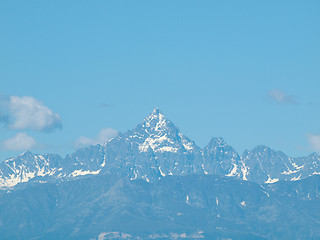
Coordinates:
column 28, row 113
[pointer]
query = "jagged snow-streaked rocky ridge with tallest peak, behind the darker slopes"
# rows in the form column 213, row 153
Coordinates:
column 153, row 150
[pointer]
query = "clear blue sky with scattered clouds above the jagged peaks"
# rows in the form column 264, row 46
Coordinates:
column 76, row 72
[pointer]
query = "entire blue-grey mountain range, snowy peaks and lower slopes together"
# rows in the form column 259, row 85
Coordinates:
column 153, row 182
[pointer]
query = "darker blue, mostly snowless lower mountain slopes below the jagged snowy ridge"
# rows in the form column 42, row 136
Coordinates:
column 190, row 207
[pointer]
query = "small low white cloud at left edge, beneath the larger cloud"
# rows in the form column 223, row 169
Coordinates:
column 21, row 141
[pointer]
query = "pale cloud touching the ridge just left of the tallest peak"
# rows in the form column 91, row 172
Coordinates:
column 103, row 136
